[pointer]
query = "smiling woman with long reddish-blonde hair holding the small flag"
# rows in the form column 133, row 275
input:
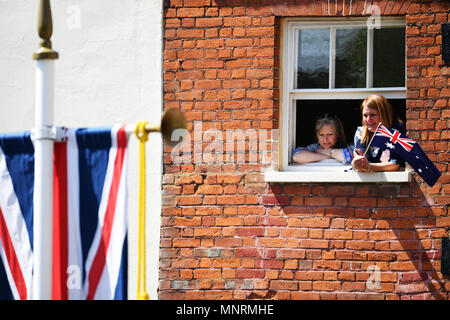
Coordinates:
column 375, row 109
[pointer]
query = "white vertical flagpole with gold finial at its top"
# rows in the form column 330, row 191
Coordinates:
column 43, row 144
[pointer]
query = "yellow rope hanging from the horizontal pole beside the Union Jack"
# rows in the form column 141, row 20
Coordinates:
column 142, row 135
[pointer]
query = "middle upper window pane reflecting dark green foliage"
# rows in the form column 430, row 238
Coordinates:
column 351, row 53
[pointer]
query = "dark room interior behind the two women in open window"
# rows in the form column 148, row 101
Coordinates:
column 346, row 110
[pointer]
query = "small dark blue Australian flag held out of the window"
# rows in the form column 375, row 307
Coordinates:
column 409, row 150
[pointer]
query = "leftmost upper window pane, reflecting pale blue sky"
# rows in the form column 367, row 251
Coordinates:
column 313, row 58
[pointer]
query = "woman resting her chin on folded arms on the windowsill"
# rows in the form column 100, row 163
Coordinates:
column 330, row 143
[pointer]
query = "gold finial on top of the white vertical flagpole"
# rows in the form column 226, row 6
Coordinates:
column 45, row 30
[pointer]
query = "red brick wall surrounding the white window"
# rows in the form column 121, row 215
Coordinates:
column 228, row 235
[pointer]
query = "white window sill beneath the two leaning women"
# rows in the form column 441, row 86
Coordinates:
column 321, row 174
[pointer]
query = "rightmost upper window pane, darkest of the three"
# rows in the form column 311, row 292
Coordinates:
column 389, row 57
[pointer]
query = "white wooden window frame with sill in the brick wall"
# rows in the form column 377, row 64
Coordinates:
column 327, row 170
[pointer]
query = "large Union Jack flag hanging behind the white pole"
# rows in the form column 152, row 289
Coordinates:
column 89, row 215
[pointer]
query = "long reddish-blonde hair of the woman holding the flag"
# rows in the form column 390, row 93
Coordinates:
column 387, row 117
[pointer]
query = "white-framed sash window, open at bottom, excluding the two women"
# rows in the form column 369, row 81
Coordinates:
column 331, row 66
